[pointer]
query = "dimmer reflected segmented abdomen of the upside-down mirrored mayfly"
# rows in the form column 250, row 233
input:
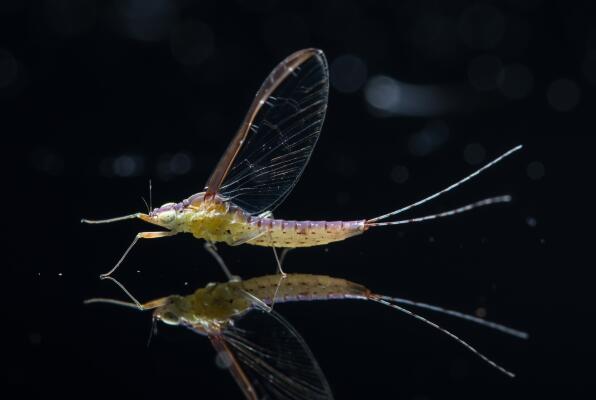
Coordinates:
column 303, row 287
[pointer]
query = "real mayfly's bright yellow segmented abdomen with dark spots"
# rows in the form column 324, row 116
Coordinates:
column 282, row 233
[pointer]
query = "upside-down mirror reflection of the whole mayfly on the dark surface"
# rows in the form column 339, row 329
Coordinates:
column 266, row 356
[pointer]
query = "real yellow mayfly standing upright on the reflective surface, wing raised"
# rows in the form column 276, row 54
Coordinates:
column 262, row 164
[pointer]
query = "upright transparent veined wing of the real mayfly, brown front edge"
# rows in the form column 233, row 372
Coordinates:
column 265, row 159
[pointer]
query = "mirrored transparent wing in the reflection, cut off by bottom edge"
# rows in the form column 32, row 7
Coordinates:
column 270, row 360
